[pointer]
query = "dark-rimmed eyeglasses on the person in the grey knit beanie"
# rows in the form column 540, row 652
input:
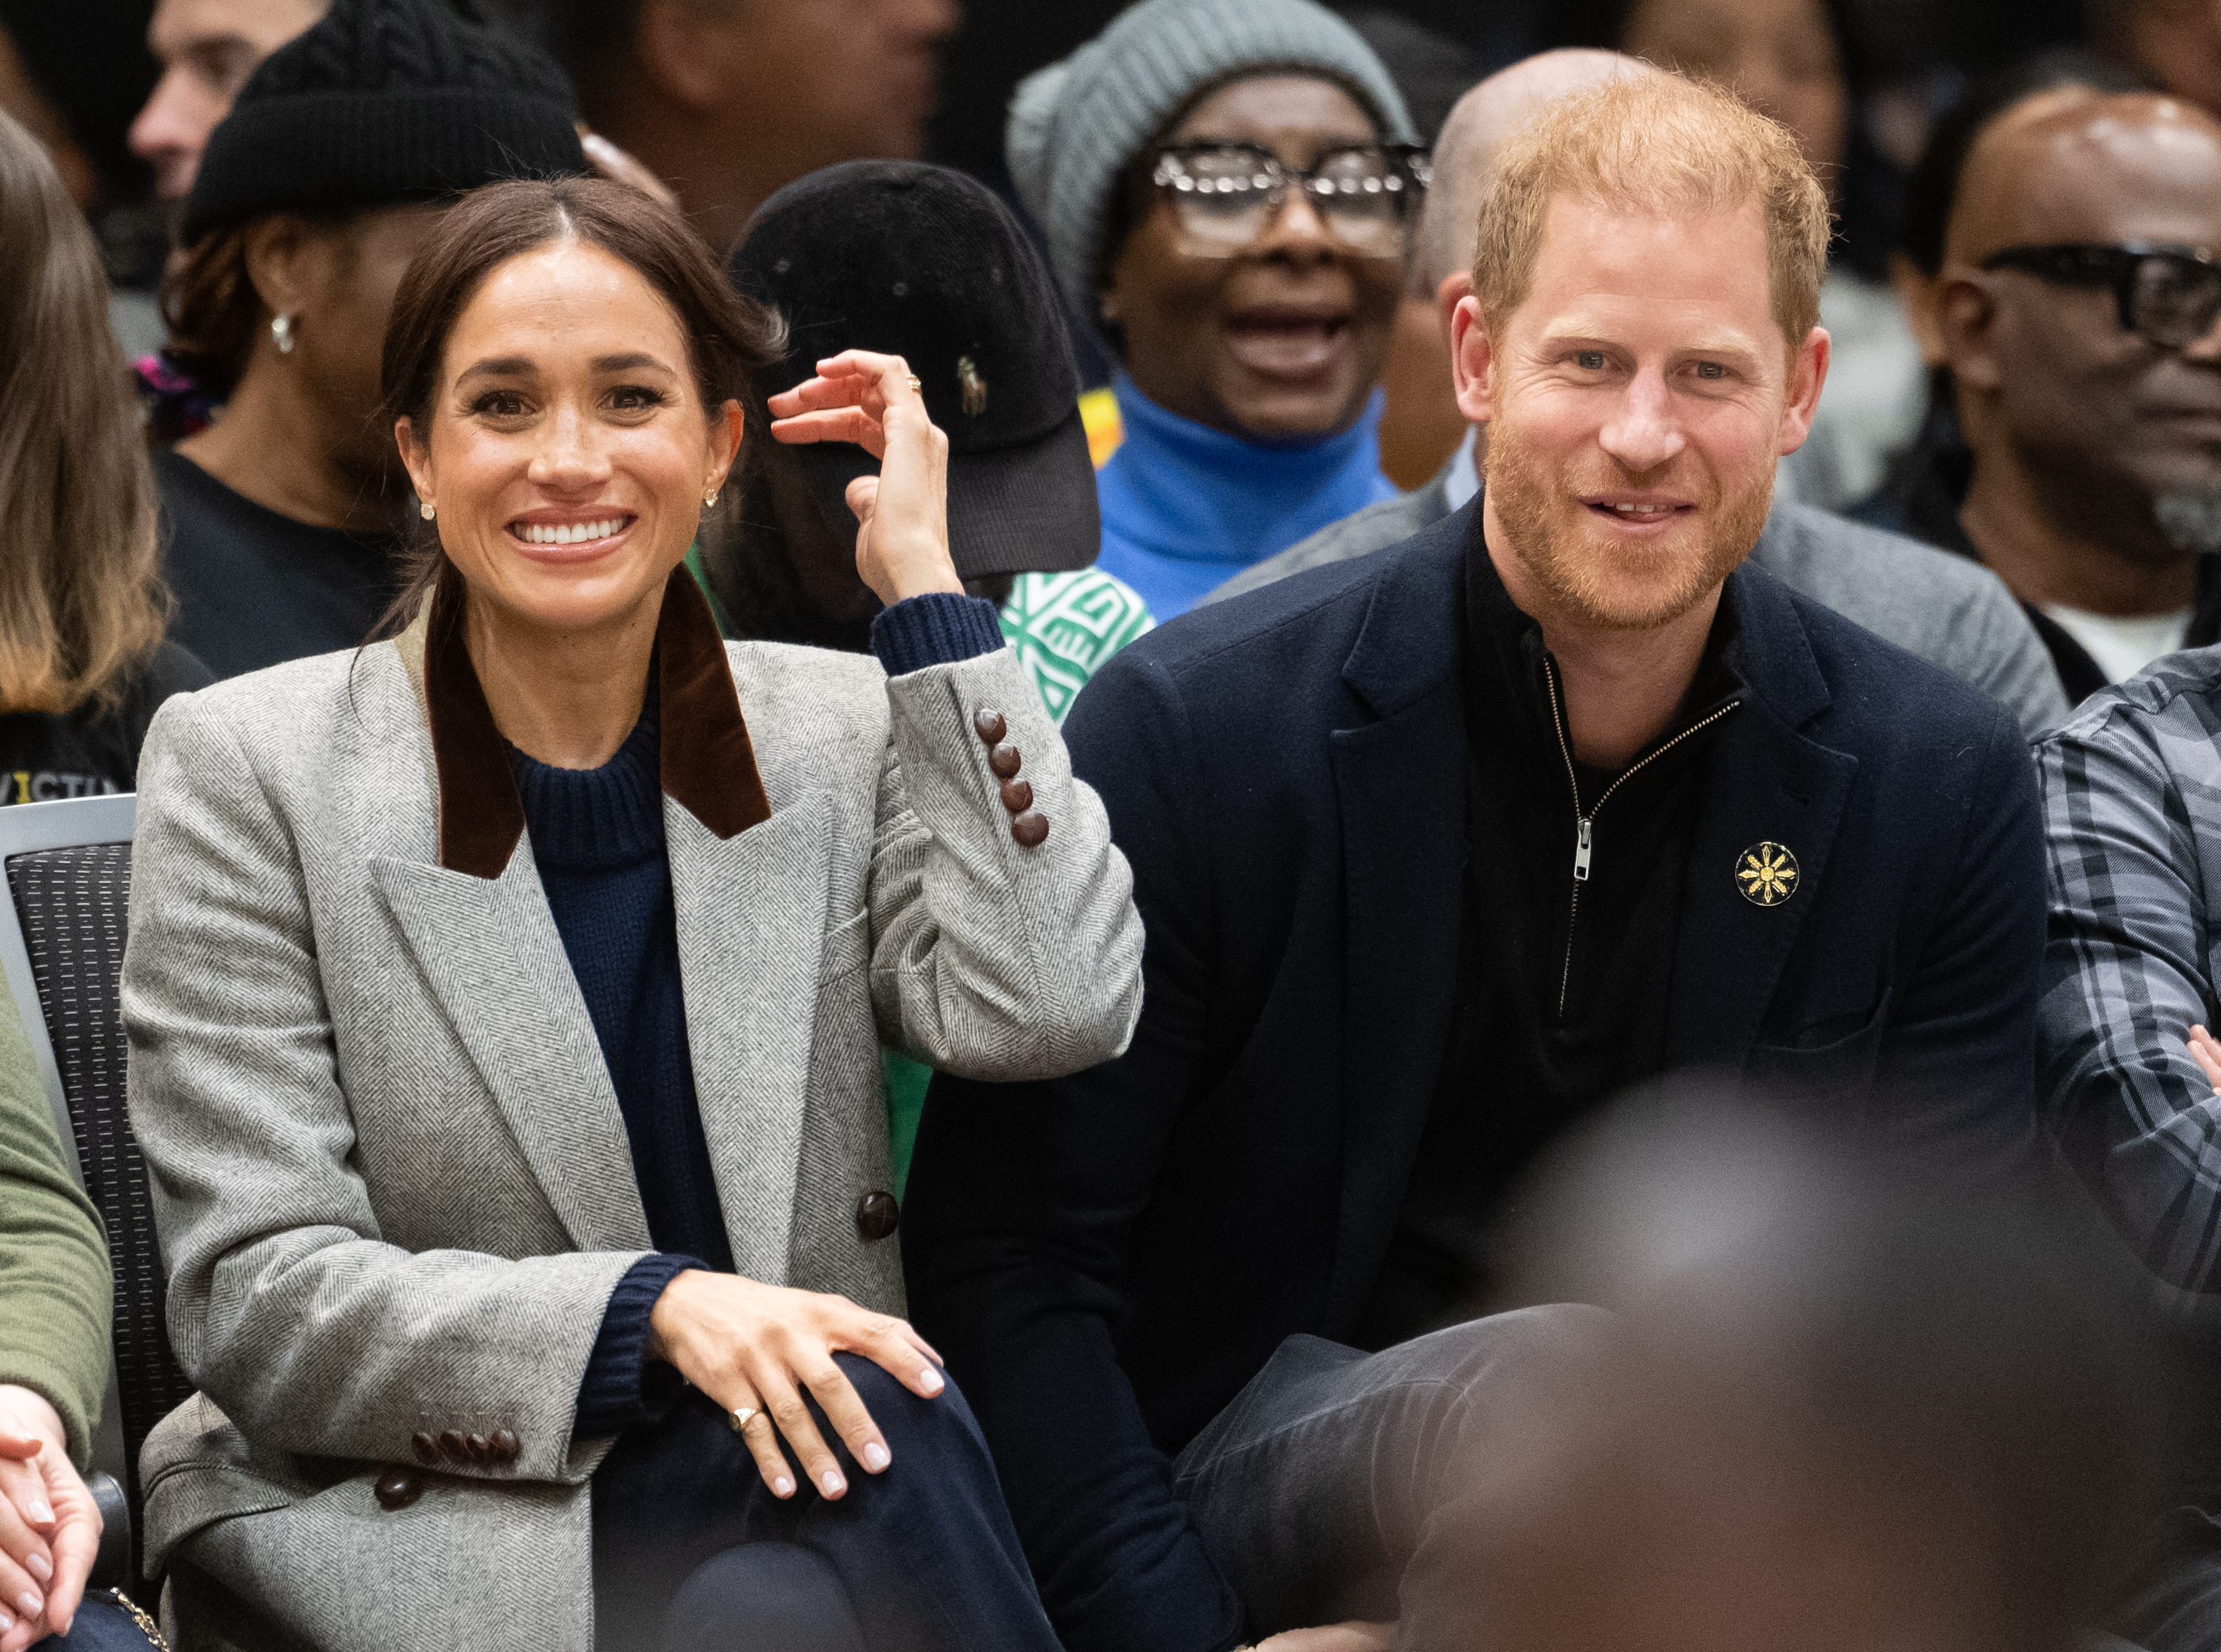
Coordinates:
column 1227, row 194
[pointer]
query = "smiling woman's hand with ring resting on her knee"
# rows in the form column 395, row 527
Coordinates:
column 761, row 1349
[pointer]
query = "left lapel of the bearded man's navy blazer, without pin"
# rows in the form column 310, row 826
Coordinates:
column 1403, row 798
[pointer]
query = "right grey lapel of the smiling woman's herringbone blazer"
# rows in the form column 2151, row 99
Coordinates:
column 752, row 918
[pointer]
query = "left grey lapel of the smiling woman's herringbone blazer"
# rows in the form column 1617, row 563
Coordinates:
column 492, row 956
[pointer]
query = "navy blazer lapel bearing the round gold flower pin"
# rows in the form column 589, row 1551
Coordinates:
column 1767, row 785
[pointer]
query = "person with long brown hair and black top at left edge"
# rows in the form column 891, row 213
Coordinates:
column 83, row 663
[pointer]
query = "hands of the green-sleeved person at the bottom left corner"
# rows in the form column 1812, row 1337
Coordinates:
column 50, row 1527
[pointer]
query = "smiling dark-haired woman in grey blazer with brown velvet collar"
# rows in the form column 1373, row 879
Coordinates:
column 507, row 1000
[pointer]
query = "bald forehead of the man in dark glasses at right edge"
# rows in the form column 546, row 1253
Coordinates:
column 2096, row 170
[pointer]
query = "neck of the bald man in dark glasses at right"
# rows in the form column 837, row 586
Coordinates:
column 2049, row 561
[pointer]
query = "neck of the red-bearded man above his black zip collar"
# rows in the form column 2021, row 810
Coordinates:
column 1622, row 687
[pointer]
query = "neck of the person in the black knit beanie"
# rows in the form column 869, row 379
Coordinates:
column 272, row 447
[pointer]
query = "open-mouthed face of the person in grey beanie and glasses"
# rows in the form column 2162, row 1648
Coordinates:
column 1287, row 339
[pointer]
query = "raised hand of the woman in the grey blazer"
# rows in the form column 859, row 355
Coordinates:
column 903, row 514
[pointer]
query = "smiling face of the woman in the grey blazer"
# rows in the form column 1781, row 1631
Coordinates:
column 567, row 447
